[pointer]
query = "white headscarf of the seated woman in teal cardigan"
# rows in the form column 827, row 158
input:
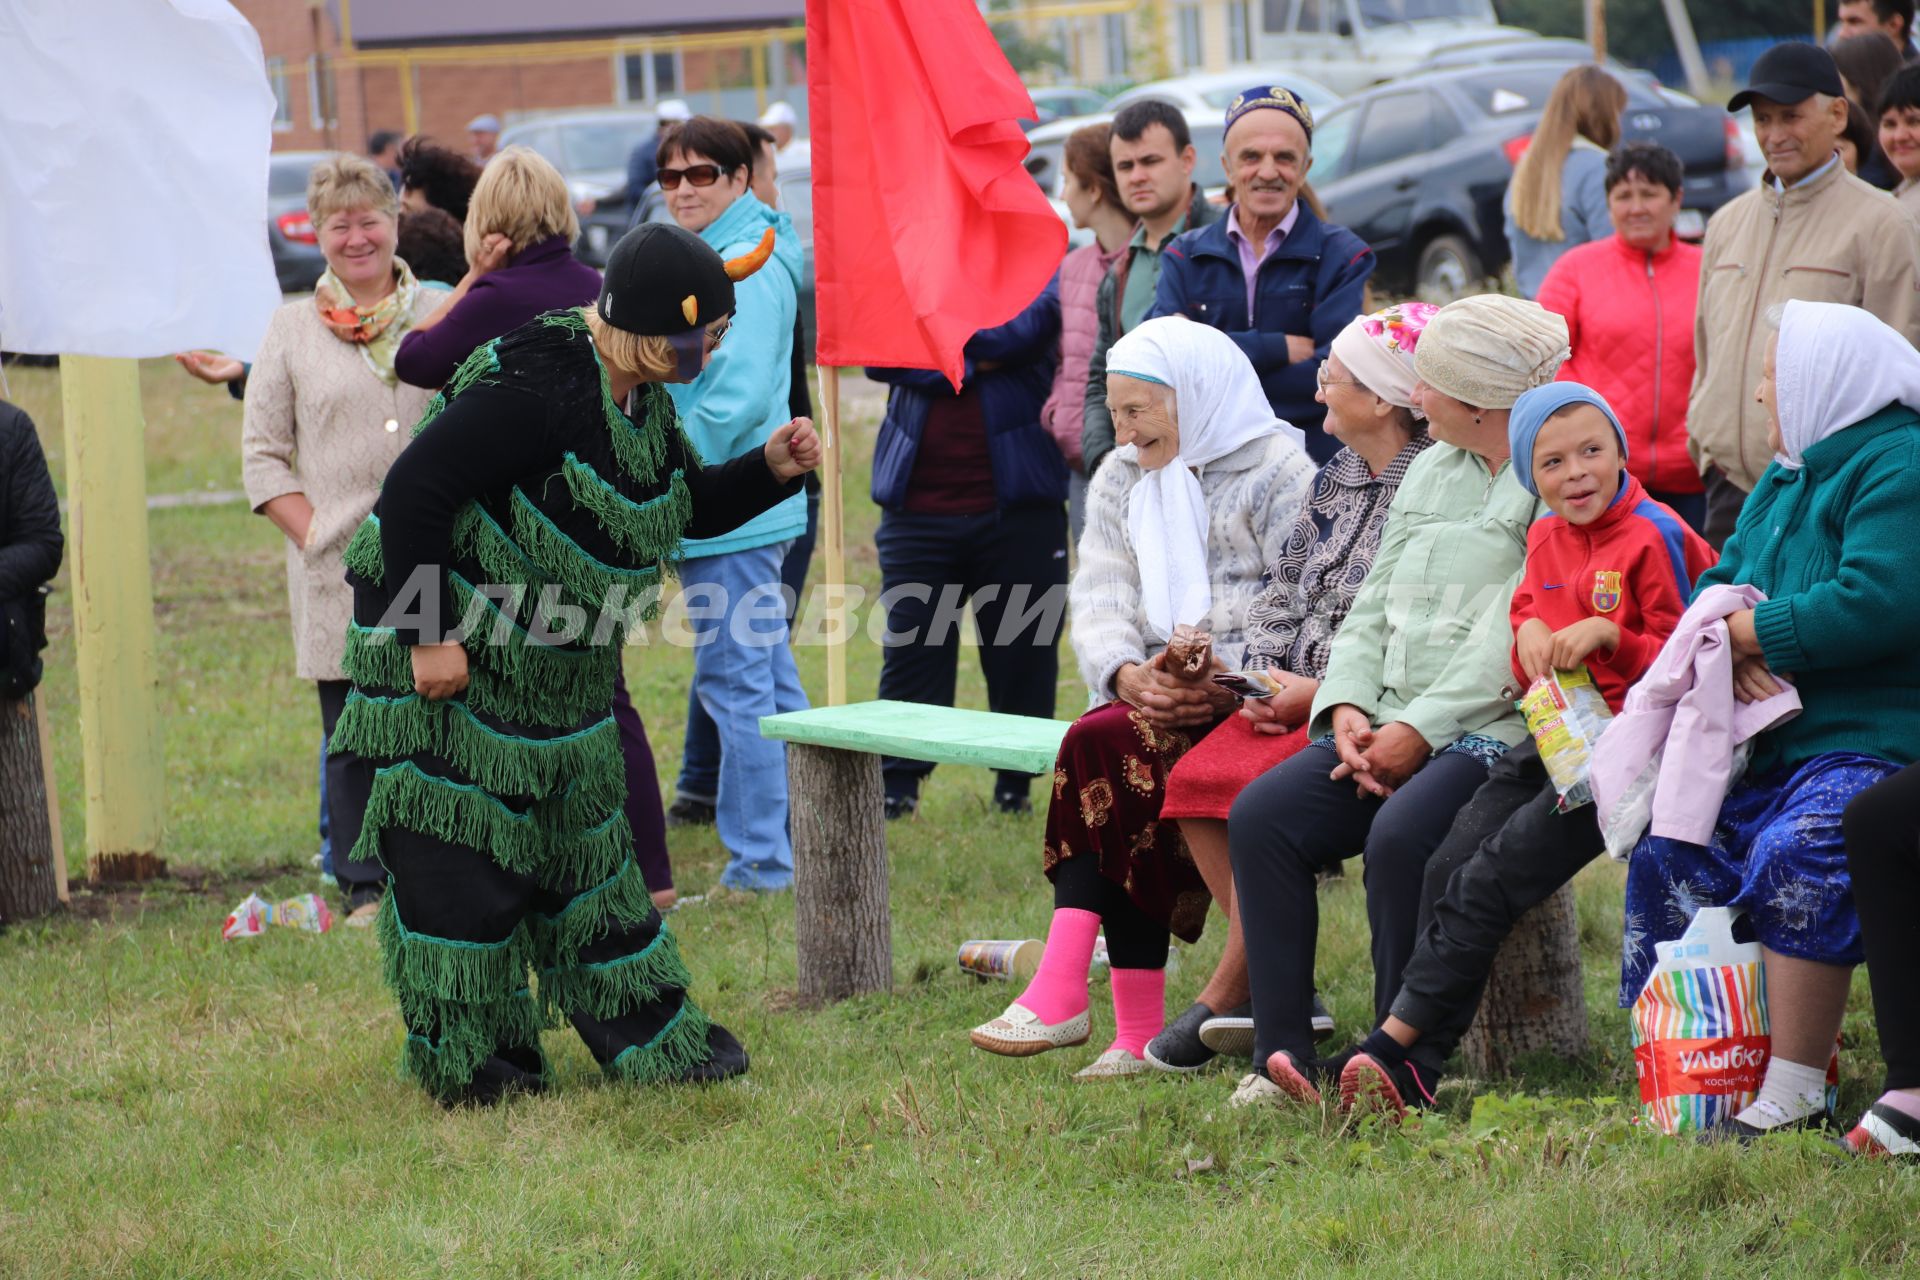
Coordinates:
column 1836, row 367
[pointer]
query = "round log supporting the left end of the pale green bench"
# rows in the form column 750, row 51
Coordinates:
column 842, row 920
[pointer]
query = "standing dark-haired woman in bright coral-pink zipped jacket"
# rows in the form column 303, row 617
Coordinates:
column 1629, row 304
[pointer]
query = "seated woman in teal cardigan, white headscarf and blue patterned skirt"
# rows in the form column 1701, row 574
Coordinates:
column 1829, row 538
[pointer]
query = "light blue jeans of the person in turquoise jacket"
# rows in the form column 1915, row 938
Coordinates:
column 744, row 671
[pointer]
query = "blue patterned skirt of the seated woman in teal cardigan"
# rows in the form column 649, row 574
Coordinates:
column 1777, row 853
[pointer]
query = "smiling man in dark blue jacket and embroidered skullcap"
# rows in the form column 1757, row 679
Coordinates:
column 1272, row 275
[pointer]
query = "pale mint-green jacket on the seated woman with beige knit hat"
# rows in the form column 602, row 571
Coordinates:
column 1428, row 642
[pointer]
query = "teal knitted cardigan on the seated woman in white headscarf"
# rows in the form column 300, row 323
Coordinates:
column 1833, row 546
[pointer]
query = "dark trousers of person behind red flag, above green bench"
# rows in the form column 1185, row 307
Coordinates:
column 1011, row 567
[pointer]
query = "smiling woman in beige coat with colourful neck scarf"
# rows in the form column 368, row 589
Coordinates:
column 325, row 417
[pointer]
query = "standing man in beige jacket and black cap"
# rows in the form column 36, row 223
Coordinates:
column 1812, row 231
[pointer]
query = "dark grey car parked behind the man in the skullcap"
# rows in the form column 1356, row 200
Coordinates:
column 1420, row 168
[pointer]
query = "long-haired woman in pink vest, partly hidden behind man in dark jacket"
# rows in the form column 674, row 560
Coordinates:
column 1093, row 199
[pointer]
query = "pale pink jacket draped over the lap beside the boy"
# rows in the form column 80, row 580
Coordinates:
column 1685, row 715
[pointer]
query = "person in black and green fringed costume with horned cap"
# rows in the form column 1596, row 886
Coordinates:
column 516, row 542
